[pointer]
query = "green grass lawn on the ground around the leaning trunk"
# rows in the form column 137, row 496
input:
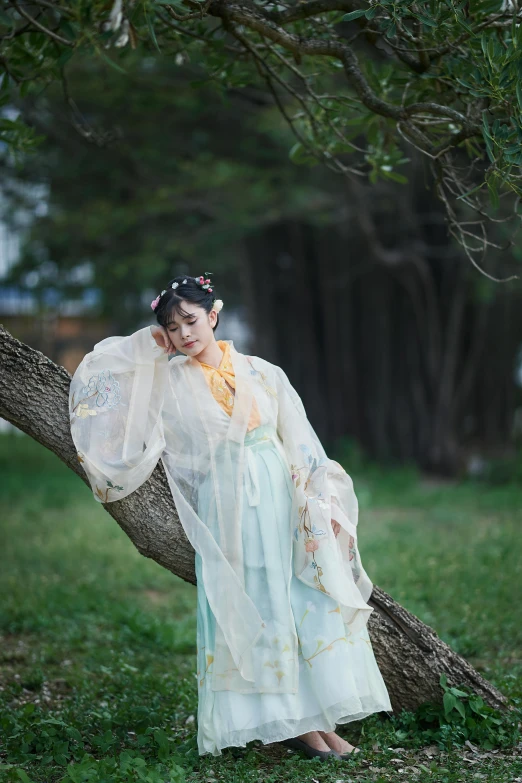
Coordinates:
column 97, row 650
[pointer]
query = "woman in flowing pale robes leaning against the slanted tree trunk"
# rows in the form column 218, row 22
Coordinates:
column 283, row 651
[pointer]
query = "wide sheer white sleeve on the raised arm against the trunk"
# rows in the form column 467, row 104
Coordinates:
column 115, row 405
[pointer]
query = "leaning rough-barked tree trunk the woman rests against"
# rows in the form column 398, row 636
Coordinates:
column 34, row 397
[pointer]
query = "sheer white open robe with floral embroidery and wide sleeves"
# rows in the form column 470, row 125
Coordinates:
column 130, row 406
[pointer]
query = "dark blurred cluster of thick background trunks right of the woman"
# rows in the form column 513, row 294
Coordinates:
column 413, row 354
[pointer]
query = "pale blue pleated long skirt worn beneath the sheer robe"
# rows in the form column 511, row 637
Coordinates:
column 339, row 680
